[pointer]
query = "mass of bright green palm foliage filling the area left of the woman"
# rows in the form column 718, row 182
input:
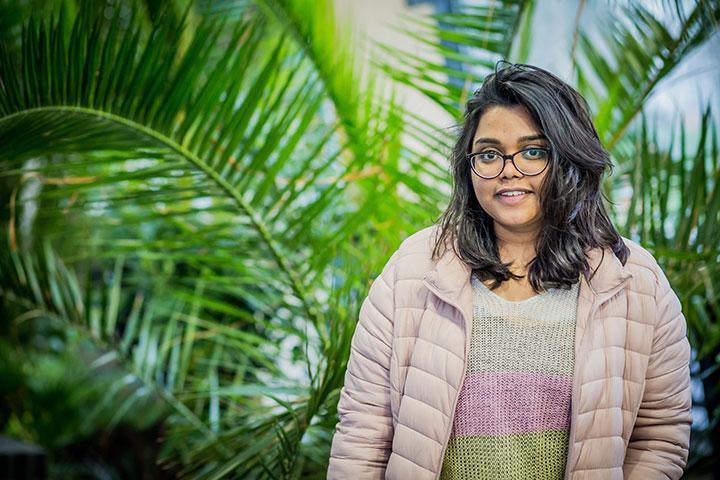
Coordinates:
column 206, row 204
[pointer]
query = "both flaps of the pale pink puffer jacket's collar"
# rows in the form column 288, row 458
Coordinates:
column 450, row 274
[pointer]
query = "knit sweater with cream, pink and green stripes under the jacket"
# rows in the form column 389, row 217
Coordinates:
column 513, row 415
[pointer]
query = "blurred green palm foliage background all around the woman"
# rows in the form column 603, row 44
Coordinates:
column 196, row 196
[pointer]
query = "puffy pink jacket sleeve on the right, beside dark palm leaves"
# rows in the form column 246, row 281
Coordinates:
column 658, row 446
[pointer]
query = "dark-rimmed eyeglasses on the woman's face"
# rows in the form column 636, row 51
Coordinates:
column 491, row 163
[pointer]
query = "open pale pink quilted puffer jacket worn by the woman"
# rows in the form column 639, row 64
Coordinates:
column 631, row 400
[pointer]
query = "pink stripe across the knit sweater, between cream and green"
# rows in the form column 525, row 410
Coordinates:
column 503, row 403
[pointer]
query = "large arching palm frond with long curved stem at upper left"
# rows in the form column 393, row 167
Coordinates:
column 143, row 110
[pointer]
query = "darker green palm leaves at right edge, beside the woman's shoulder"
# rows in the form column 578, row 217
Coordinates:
column 671, row 198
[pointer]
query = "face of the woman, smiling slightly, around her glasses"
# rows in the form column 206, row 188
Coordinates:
column 507, row 130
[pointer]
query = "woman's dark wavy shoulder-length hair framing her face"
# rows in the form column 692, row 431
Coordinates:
column 574, row 217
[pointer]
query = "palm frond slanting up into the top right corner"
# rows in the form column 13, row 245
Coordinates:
column 642, row 50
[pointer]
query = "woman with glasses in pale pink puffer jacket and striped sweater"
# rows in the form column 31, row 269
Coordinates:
column 521, row 337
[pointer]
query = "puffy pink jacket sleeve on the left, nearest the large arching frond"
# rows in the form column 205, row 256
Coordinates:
column 362, row 441
